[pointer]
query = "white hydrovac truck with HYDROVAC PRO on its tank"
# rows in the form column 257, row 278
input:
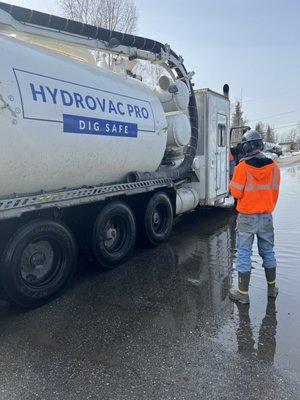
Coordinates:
column 91, row 156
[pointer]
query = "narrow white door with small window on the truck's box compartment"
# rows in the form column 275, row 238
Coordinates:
column 222, row 154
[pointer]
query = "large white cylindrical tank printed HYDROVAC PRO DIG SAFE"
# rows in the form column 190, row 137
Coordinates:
column 66, row 123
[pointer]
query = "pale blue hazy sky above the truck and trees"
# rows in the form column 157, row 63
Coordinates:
column 254, row 46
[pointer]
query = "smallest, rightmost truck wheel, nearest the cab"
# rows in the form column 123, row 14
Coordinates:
column 158, row 221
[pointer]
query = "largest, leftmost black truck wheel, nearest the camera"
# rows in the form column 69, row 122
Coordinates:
column 38, row 263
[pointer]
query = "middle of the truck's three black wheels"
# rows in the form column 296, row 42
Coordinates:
column 114, row 235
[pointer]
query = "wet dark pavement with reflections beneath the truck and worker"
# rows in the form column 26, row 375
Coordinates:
column 162, row 327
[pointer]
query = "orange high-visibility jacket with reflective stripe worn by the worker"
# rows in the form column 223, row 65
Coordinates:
column 256, row 189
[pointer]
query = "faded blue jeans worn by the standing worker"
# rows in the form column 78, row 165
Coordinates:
column 249, row 225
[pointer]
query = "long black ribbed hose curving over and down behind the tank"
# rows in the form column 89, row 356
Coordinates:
column 78, row 28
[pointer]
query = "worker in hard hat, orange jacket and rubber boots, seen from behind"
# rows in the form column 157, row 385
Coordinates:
column 255, row 185
